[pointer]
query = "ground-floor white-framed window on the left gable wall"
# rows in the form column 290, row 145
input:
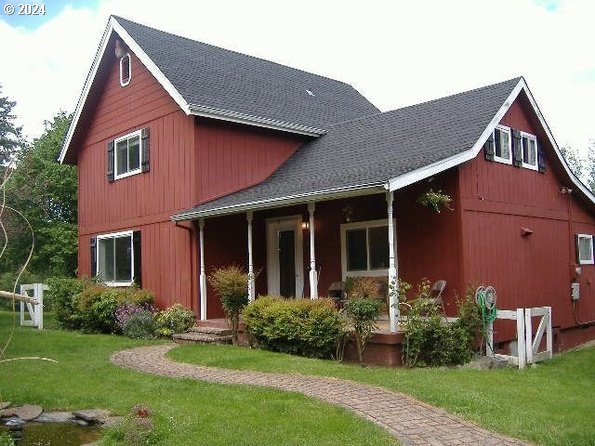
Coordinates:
column 115, row 258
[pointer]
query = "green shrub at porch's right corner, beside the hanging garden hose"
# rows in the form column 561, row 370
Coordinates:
column 430, row 341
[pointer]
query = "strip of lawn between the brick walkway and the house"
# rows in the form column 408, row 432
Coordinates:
column 551, row 404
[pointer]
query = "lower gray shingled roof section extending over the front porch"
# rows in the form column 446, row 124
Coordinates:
column 373, row 150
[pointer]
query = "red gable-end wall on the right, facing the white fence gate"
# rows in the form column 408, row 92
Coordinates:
column 497, row 201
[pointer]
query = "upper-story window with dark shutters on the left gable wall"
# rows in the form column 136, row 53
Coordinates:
column 128, row 155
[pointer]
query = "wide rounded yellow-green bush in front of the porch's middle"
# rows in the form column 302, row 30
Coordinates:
column 302, row 327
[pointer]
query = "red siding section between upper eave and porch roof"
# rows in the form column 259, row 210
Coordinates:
column 232, row 157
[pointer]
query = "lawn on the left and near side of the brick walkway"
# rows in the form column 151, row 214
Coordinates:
column 186, row 412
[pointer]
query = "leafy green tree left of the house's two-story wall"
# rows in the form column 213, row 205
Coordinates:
column 46, row 193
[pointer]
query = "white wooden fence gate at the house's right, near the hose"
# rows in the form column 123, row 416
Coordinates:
column 527, row 344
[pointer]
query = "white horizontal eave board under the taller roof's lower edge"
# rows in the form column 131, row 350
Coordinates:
column 256, row 121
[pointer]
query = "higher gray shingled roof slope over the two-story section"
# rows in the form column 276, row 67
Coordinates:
column 208, row 76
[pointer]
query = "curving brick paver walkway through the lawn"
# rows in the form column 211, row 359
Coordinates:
column 411, row 421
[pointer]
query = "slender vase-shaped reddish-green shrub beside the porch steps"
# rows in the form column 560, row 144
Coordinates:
column 231, row 283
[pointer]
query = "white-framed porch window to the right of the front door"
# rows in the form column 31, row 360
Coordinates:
column 364, row 248
